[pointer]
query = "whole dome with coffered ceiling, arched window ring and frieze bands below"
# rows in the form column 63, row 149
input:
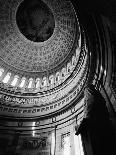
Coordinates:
column 43, row 56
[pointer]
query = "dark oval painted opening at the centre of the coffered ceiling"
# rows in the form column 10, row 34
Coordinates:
column 35, row 20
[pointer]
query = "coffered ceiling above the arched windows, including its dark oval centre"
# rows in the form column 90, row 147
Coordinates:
column 36, row 36
